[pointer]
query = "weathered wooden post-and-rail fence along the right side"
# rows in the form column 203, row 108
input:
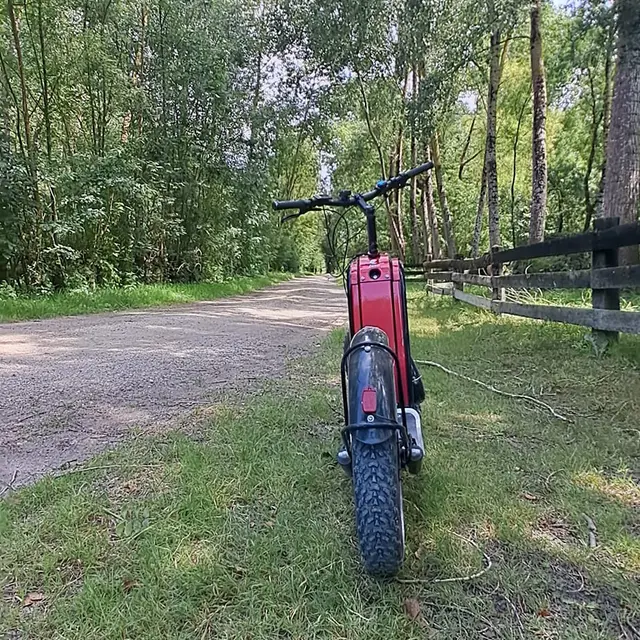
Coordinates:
column 605, row 278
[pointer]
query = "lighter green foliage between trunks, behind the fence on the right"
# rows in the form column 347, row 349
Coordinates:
column 446, row 45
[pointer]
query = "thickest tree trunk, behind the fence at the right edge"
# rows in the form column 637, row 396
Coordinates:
column 622, row 185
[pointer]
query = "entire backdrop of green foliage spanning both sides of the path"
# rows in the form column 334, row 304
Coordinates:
column 159, row 133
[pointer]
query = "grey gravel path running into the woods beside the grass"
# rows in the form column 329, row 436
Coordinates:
column 71, row 387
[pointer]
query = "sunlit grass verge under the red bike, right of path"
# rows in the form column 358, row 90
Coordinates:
column 243, row 528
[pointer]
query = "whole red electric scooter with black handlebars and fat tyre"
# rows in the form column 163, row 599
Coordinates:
column 381, row 387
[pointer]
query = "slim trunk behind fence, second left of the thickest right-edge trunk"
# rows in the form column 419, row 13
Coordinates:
column 492, row 166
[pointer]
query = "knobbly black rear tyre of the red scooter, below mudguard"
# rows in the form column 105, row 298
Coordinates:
column 378, row 500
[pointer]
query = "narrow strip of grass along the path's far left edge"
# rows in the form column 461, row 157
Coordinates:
column 135, row 297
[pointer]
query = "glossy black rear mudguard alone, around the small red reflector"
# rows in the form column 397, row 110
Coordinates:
column 371, row 368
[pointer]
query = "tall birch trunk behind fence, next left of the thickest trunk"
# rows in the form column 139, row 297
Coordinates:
column 539, row 151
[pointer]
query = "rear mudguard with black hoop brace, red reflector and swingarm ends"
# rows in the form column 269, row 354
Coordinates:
column 372, row 414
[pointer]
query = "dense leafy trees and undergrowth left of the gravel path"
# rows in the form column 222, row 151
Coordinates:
column 152, row 148
